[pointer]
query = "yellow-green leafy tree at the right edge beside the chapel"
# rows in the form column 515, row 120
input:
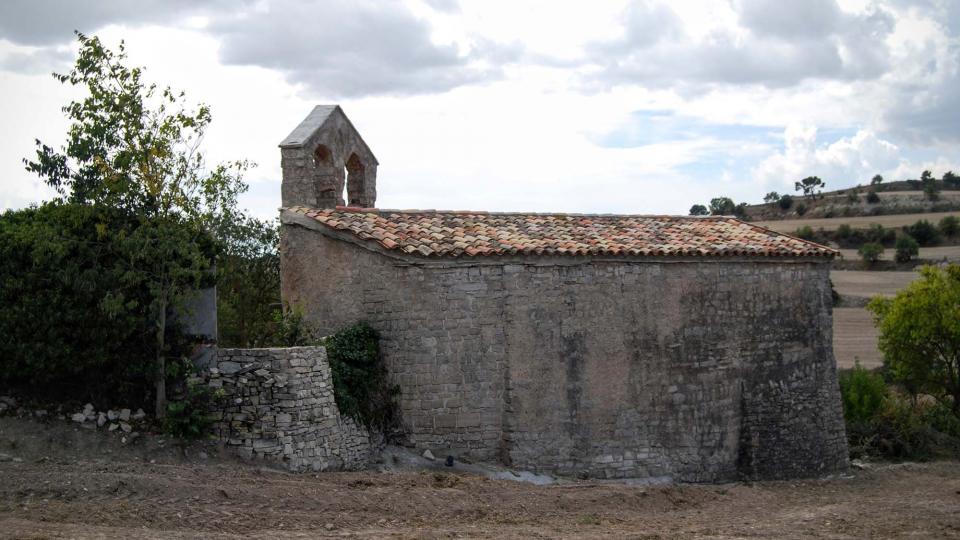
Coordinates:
column 920, row 334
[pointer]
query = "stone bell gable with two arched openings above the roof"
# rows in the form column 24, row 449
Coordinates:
column 324, row 155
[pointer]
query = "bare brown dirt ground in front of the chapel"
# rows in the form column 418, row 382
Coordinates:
column 59, row 481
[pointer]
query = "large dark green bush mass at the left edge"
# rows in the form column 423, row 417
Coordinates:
column 73, row 323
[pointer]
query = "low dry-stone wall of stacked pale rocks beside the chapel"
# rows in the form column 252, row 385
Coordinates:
column 278, row 405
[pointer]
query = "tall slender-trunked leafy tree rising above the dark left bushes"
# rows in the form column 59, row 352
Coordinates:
column 135, row 147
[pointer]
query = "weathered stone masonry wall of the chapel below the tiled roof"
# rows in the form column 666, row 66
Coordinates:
column 701, row 370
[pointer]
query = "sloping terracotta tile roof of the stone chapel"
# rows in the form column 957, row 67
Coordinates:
column 431, row 233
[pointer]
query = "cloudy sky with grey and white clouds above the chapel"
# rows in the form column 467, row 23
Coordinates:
column 601, row 106
